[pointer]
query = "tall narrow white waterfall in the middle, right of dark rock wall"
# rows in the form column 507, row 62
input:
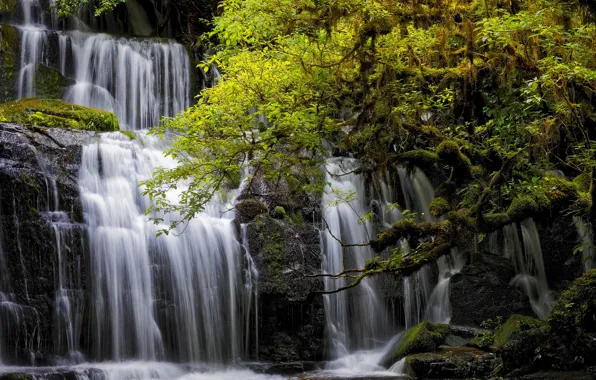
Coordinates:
column 356, row 319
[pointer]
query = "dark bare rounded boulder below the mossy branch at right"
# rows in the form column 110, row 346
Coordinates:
column 481, row 291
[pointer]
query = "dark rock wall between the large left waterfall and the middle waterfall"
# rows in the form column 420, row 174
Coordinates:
column 292, row 316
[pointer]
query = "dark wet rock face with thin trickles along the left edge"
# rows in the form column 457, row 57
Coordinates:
column 39, row 196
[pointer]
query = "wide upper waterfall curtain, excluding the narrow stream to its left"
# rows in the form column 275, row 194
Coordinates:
column 141, row 81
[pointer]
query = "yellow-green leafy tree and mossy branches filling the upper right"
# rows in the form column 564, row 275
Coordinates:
column 497, row 95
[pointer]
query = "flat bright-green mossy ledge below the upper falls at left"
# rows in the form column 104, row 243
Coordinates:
column 53, row 113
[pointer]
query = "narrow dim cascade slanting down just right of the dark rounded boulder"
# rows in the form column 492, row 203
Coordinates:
column 526, row 255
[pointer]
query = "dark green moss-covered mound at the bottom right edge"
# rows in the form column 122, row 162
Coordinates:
column 576, row 306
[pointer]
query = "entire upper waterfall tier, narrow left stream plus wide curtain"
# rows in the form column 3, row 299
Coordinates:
column 140, row 80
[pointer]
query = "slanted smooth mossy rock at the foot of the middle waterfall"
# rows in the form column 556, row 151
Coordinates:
column 424, row 337
